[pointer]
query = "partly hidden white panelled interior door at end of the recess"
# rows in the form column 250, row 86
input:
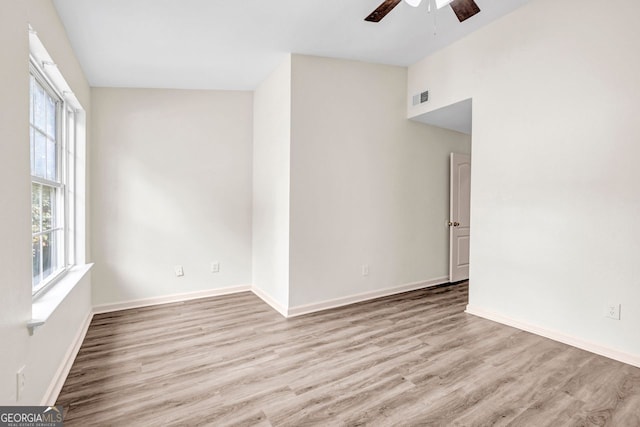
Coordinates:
column 459, row 213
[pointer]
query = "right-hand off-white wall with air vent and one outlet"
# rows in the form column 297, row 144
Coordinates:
column 555, row 185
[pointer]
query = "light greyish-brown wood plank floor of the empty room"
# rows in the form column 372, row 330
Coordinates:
column 414, row 359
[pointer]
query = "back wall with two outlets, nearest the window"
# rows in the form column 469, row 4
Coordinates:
column 171, row 185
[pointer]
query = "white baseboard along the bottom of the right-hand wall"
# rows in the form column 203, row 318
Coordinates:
column 610, row 353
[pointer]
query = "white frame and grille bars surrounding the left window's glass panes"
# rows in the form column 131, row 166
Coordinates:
column 65, row 144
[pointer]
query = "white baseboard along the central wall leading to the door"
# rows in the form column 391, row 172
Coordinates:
column 365, row 296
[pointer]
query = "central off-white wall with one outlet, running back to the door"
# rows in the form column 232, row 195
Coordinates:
column 368, row 186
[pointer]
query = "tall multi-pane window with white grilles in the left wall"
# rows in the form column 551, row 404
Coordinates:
column 49, row 121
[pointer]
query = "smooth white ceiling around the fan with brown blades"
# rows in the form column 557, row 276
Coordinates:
column 234, row 44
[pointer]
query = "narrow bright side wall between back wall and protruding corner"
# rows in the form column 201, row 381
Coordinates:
column 271, row 150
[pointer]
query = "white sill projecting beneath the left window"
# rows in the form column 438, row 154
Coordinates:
column 44, row 305
